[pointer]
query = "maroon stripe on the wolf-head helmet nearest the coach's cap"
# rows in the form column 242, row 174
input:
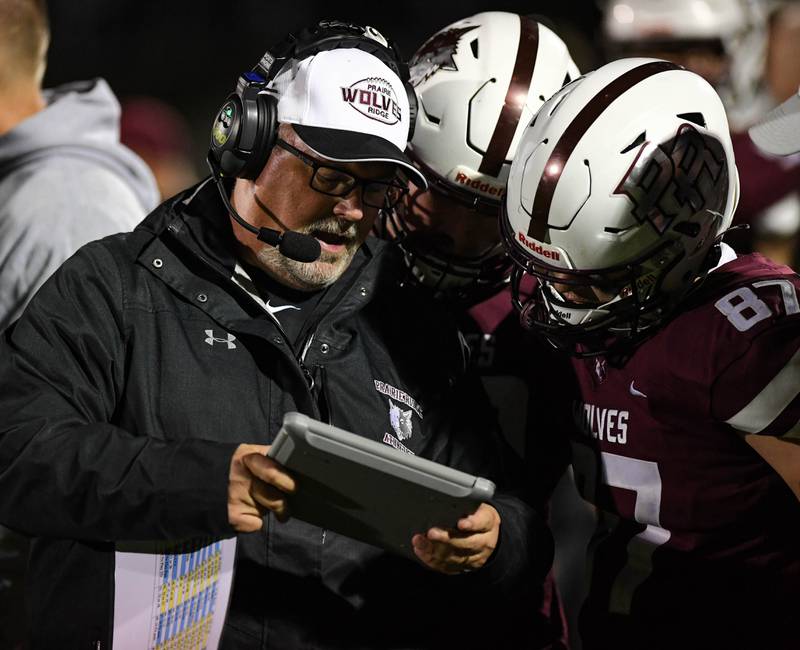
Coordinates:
column 516, row 95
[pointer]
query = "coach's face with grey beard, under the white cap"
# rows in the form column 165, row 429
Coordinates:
column 282, row 198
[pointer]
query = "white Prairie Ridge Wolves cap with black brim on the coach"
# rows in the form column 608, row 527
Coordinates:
column 347, row 106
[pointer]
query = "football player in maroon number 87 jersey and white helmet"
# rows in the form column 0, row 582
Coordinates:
column 687, row 356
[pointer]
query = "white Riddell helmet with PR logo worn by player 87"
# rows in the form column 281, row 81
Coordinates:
column 620, row 189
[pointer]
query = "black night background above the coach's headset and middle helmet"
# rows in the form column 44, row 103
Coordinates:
column 190, row 52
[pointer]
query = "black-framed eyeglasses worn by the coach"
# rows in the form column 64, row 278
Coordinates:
column 336, row 182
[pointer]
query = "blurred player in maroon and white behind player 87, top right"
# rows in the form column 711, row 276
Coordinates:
column 746, row 49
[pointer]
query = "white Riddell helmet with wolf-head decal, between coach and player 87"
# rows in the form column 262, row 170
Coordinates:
column 479, row 81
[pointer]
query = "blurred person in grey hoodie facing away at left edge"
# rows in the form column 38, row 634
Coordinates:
column 64, row 180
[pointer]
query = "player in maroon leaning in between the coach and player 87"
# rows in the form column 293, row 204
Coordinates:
column 479, row 82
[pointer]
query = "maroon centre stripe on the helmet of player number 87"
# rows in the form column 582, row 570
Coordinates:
column 573, row 134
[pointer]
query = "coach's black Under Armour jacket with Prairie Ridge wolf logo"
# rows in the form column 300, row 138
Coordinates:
column 118, row 421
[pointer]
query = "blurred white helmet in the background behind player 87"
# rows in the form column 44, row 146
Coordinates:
column 737, row 28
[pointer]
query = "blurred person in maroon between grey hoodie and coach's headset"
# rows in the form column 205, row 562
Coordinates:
column 160, row 135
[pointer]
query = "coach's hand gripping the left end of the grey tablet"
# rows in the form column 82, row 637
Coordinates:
column 256, row 485
